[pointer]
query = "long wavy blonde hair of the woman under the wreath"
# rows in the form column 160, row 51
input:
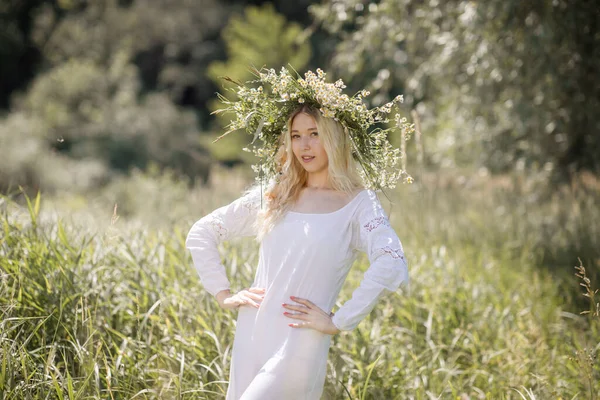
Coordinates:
column 342, row 169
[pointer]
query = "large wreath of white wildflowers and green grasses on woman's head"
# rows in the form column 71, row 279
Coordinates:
column 263, row 111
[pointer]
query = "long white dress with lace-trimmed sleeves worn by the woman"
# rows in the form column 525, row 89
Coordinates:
column 307, row 256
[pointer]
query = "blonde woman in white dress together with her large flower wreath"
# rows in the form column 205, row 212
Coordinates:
column 311, row 221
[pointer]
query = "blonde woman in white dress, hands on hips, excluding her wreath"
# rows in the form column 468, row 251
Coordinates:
column 314, row 221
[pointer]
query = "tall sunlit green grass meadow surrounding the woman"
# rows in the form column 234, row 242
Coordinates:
column 103, row 306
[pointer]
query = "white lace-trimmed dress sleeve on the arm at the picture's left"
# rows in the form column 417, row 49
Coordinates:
column 234, row 220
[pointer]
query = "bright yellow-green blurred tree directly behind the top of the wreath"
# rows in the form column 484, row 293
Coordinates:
column 261, row 37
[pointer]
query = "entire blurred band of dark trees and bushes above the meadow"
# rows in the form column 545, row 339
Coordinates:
column 92, row 89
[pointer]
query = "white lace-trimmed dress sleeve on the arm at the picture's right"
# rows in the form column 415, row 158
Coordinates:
column 388, row 269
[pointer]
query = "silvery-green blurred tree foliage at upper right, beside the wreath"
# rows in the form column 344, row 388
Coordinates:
column 504, row 84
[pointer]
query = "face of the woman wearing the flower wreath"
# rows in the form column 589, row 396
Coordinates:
column 307, row 147
